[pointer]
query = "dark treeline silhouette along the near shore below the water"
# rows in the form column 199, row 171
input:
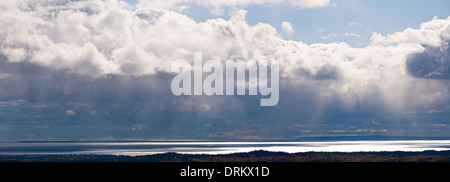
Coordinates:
column 255, row 156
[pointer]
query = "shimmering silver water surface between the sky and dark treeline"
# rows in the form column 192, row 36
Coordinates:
column 207, row 147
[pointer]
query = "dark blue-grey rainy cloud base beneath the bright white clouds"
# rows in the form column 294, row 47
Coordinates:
column 41, row 103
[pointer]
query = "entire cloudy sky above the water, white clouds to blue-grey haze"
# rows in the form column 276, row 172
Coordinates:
column 101, row 70
